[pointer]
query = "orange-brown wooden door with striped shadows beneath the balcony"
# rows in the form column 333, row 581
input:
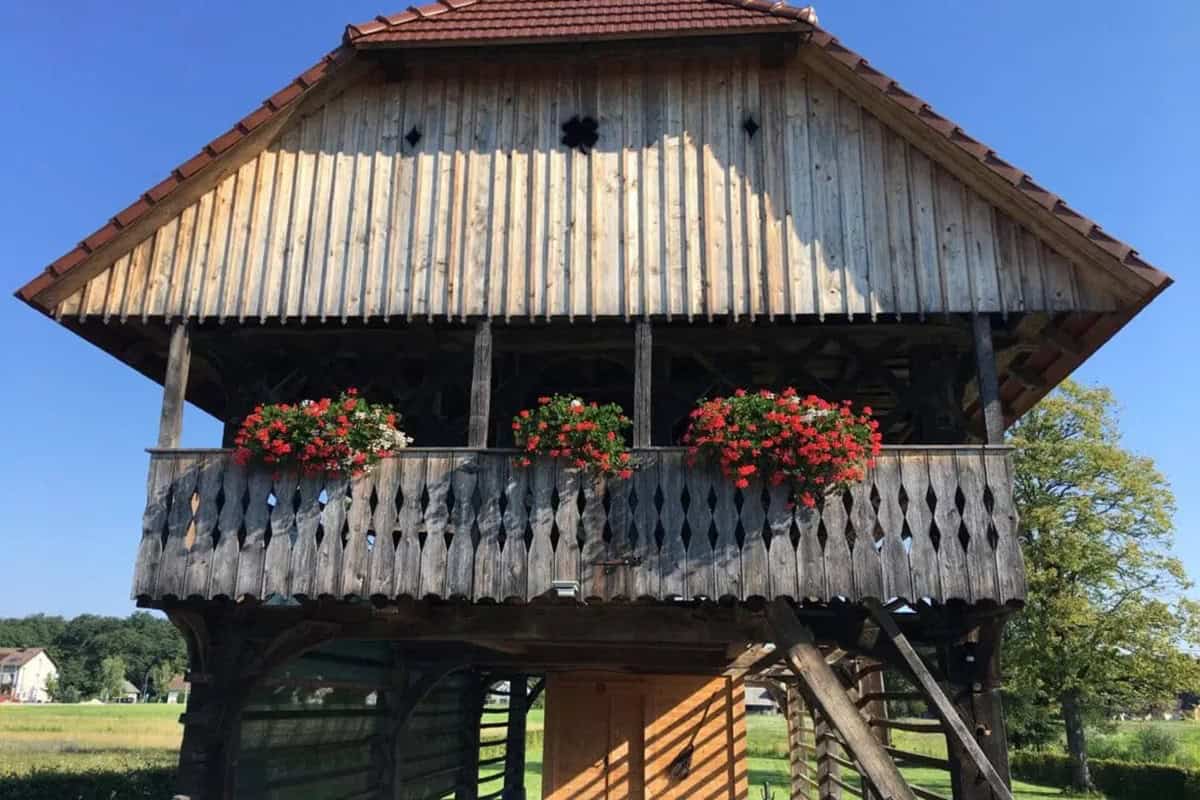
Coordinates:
column 615, row 737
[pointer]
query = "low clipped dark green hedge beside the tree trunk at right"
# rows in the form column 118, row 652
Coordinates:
column 1118, row 780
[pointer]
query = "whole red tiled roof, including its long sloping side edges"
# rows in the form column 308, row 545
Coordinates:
column 497, row 21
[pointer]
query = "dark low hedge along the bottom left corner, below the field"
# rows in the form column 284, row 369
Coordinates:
column 100, row 785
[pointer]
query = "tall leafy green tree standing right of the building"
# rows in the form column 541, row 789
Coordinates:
column 1106, row 625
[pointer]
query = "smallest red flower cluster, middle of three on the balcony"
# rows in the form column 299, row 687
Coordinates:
column 586, row 435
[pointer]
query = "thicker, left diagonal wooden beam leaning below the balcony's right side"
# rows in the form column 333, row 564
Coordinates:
column 803, row 657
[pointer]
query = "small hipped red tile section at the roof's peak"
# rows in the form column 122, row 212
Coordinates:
column 490, row 21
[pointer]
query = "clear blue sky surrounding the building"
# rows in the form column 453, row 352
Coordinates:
column 1099, row 100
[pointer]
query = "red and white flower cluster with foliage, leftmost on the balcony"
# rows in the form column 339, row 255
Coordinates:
column 347, row 435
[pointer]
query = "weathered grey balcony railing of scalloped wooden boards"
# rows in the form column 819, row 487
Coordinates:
column 929, row 524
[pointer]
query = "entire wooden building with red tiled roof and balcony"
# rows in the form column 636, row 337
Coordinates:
column 478, row 202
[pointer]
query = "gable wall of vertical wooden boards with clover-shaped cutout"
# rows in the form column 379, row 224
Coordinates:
column 451, row 195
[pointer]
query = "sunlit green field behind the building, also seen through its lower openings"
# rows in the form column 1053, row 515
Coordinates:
column 127, row 738
